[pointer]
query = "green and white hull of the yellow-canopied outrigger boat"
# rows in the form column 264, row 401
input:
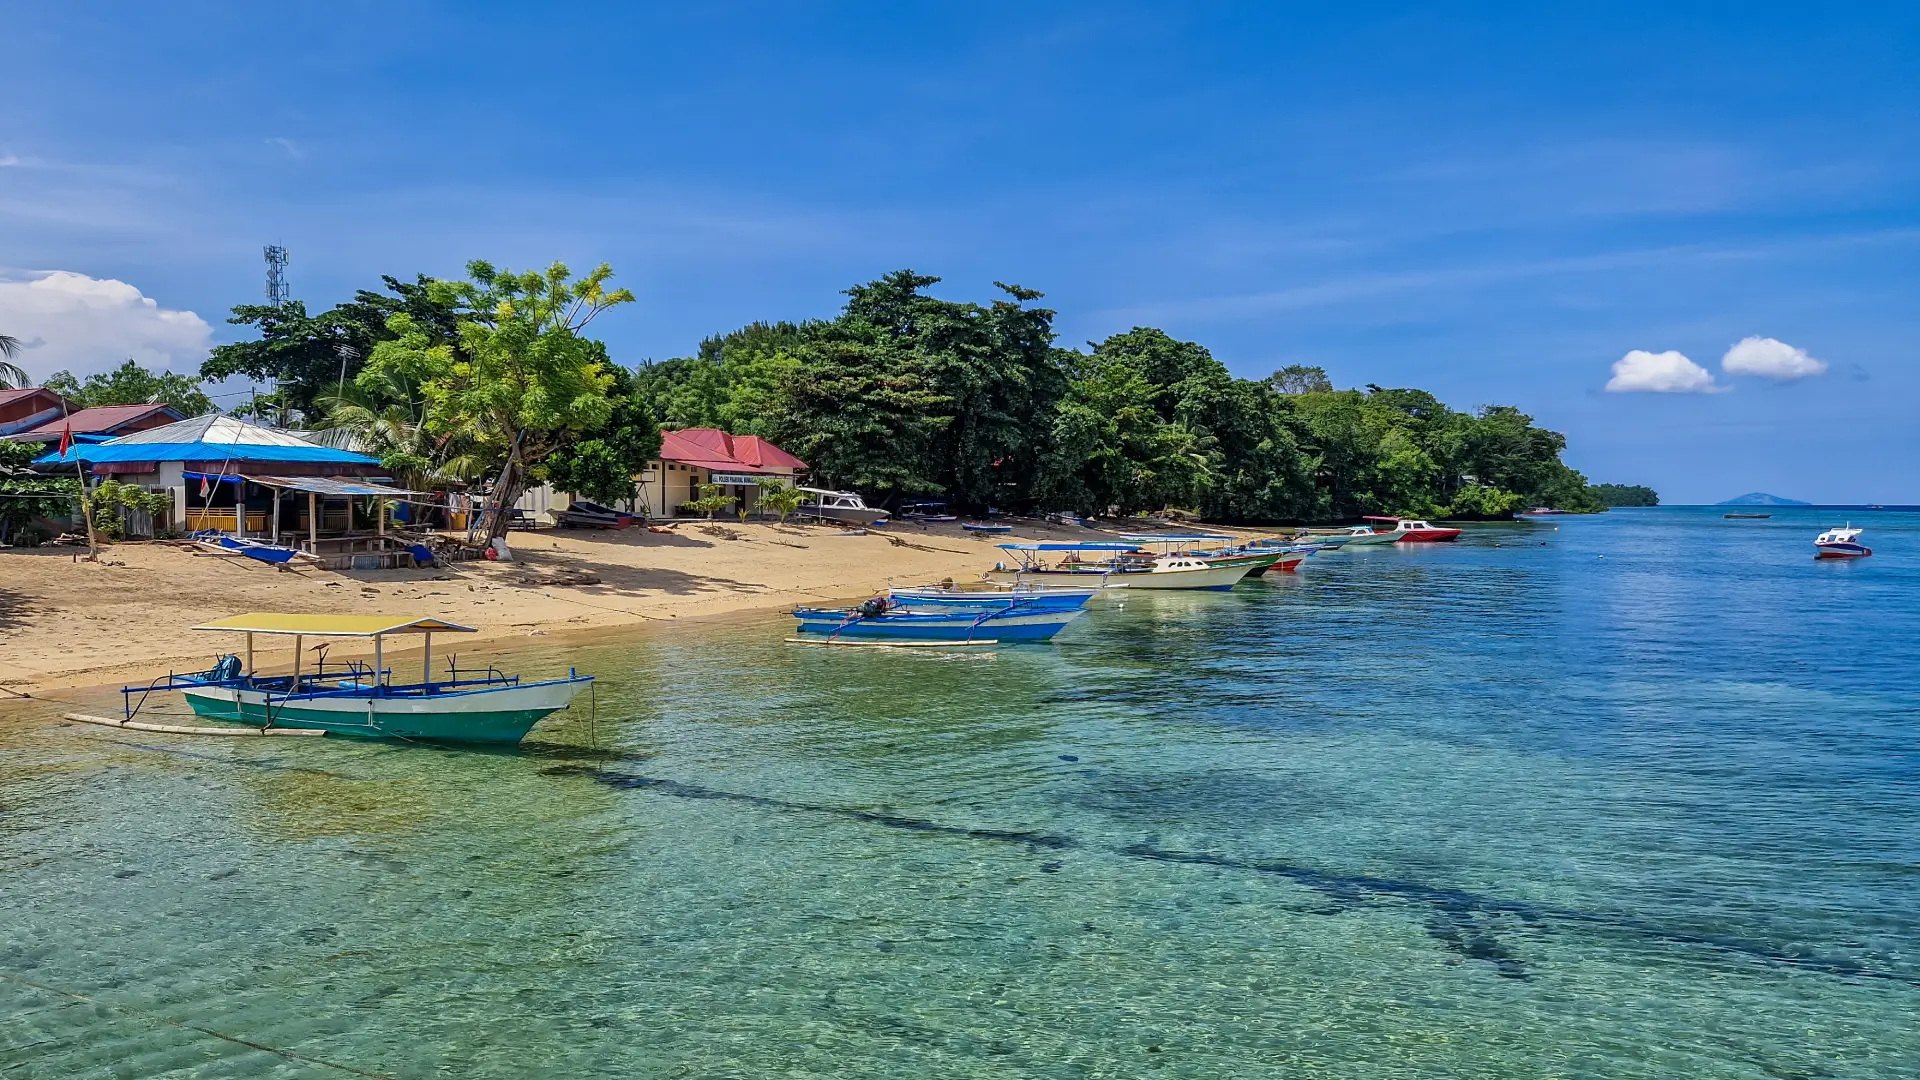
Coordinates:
column 464, row 716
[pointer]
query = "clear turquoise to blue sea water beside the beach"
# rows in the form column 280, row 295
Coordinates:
column 1633, row 797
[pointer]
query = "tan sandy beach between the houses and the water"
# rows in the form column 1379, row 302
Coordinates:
column 130, row 616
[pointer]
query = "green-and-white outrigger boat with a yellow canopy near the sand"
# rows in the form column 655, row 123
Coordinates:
column 360, row 700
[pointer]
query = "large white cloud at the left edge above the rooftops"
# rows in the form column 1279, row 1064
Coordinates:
column 85, row 324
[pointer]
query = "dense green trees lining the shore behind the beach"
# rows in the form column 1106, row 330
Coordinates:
column 903, row 395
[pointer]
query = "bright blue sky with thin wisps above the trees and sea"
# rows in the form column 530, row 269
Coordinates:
column 1495, row 207
